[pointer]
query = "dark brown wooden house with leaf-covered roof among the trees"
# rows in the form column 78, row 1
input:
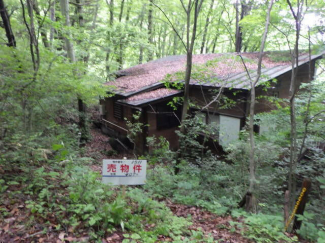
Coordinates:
column 142, row 88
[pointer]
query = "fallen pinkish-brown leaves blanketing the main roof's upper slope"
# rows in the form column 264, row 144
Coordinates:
column 143, row 76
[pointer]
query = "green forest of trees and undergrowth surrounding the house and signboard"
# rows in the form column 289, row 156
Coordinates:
column 60, row 58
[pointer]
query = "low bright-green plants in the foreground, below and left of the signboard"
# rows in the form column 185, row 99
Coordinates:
column 77, row 199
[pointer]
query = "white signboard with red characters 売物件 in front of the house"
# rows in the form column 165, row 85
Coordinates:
column 124, row 172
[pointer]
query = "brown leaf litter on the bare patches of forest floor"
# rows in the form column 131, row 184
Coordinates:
column 17, row 223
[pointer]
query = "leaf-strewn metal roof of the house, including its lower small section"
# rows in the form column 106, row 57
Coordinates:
column 143, row 83
